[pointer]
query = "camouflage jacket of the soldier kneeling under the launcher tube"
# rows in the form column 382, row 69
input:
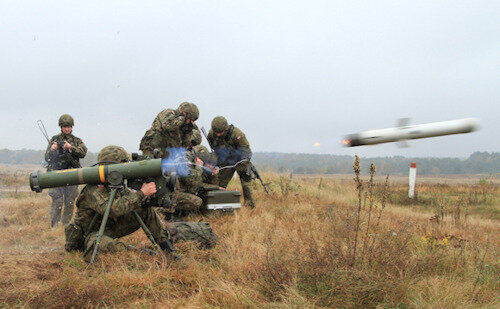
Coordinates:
column 93, row 199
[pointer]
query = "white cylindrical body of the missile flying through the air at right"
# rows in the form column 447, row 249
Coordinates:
column 397, row 134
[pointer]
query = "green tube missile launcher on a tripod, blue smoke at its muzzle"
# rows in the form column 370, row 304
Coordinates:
column 142, row 169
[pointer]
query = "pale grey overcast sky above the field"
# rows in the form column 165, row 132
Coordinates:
column 288, row 73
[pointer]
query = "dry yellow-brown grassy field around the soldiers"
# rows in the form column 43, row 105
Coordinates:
column 313, row 242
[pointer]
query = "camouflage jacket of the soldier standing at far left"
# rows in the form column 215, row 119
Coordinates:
column 61, row 158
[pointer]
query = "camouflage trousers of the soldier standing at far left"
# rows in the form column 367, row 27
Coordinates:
column 63, row 202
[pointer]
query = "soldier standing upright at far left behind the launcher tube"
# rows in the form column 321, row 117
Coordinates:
column 64, row 151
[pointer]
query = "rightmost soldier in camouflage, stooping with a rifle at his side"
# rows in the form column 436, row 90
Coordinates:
column 233, row 151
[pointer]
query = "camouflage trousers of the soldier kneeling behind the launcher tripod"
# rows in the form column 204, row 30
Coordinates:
column 123, row 226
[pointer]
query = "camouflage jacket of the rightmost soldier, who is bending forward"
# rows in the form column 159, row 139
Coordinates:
column 230, row 147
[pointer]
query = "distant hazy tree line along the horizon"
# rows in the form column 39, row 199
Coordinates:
column 476, row 163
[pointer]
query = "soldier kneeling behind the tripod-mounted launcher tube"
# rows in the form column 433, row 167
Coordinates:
column 93, row 199
